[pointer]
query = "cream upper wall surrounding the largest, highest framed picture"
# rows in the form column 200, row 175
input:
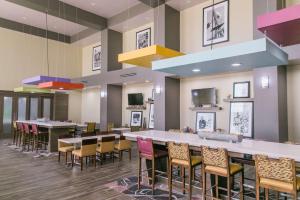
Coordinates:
column 240, row 25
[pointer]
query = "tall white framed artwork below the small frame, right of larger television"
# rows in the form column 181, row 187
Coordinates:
column 241, row 118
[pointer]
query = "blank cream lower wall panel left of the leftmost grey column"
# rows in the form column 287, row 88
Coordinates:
column 90, row 108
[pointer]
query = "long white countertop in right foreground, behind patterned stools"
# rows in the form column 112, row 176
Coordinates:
column 247, row 146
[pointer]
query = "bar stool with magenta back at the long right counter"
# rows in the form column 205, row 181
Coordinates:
column 146, row 150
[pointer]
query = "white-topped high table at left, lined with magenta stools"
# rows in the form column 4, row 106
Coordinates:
column 55, row 130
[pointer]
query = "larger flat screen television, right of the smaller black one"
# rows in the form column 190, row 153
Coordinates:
column 206, row 96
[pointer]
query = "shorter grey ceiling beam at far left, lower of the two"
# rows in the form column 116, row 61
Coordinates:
column 24, row 28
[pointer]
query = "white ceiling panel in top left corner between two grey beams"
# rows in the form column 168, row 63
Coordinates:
column 34, row 18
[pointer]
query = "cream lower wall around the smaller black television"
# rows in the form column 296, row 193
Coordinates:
column 146, row 89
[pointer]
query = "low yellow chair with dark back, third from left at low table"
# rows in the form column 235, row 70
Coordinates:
column 106, row 146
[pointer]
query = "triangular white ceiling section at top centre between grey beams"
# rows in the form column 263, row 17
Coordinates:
column 104, row 8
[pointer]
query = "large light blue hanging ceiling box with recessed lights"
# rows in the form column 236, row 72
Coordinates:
column 239, row 57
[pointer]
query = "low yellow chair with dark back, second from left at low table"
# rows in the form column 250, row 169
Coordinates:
column 88, row 149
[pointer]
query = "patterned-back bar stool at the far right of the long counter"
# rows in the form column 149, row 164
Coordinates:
column 276, row 174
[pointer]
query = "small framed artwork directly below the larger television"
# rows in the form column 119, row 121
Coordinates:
column 205, row 121
